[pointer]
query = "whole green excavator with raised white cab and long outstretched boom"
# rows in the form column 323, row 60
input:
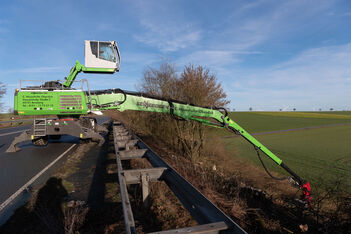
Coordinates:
column 71, row 105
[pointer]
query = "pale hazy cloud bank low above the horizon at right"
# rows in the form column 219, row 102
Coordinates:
column 320, row 76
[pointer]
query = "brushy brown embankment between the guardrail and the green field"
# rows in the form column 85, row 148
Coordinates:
column 247, row 194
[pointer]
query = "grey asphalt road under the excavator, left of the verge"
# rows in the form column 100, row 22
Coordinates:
column 16, row 169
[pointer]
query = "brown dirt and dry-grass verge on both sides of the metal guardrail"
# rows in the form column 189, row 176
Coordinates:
column 83, row 196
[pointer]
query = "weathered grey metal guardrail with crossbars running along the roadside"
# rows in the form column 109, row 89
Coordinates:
column 209, row 217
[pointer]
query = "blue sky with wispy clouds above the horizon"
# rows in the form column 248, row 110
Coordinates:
column 267, row 54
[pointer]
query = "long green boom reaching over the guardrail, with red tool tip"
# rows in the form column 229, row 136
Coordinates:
column 122, row 100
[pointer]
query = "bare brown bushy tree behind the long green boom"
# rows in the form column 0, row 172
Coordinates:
column 196, row 85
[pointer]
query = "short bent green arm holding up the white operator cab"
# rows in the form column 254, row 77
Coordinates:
column 78, row 67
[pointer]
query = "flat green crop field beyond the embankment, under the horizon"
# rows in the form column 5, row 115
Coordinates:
column 317, row 153
